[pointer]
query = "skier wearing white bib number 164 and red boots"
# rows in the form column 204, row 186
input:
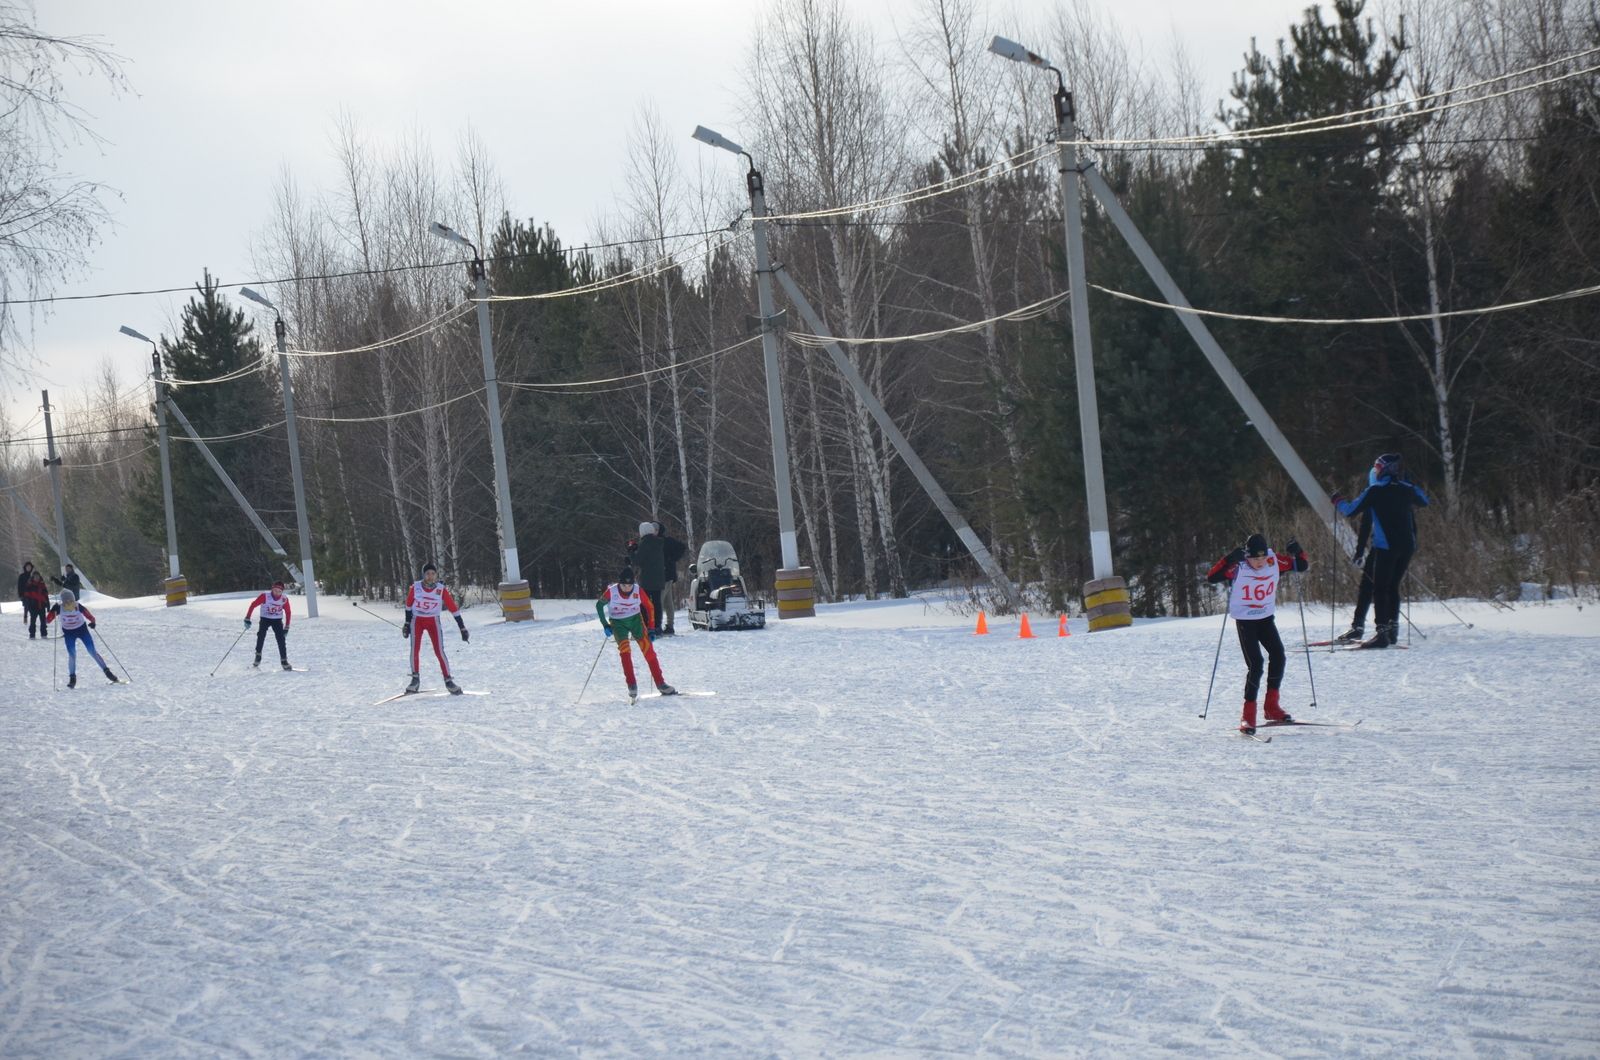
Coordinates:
column 1254, row 572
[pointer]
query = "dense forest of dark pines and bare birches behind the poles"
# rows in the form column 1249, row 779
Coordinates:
column 644, row 398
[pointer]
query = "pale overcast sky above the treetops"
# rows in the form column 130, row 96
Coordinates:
column 226, row 97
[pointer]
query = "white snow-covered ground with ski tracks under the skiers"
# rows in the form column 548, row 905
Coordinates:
column 882, row 837
